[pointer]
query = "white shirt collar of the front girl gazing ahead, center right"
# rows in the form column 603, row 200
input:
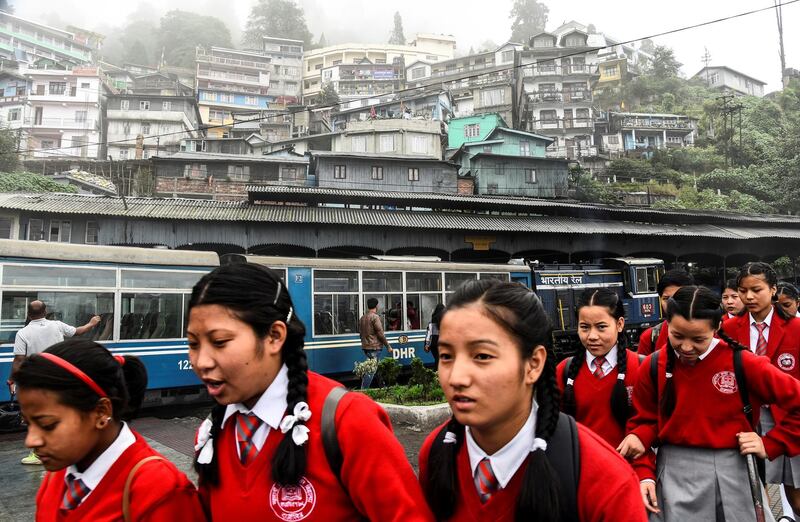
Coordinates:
column 507, row 460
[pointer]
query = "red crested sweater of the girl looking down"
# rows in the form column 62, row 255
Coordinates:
column 708, row 409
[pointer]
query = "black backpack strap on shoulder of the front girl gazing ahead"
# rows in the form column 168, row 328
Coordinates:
column 563, row 453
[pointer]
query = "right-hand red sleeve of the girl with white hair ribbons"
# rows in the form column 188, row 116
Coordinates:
column 375, row 470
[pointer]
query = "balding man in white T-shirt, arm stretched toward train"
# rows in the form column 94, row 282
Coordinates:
column 37, row 336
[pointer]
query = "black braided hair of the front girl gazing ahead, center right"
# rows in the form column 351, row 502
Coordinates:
column 516, row 309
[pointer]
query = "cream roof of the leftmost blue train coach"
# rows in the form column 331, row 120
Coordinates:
column 12, row 248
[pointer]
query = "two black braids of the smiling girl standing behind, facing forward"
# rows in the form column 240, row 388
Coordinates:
column 620, row 407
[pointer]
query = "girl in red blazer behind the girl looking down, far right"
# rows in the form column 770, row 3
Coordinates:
column 766, row 329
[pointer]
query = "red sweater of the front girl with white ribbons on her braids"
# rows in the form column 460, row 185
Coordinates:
column 379, row 482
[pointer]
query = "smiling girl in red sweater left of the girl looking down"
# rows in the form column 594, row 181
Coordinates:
column 599, row 383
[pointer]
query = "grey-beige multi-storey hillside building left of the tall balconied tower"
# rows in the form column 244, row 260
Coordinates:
column 479, row 84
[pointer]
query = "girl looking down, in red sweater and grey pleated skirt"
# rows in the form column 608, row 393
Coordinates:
column 695, row 414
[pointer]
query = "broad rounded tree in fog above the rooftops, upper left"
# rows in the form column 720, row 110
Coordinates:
column 181, row 32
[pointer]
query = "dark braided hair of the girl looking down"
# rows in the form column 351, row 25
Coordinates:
column 691, row 303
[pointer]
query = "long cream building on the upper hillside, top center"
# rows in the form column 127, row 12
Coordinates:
column 360, row 71
